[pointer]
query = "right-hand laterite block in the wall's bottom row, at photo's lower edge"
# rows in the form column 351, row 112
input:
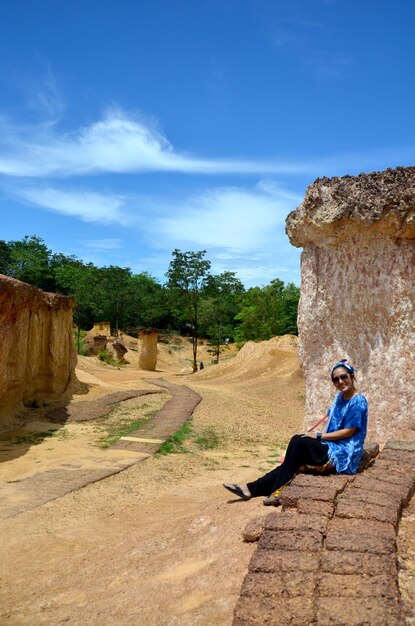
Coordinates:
column 361, row 611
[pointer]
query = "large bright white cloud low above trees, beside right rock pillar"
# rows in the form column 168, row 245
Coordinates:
column 243, row 230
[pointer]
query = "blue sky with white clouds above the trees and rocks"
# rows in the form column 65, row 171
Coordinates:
column 130, row 128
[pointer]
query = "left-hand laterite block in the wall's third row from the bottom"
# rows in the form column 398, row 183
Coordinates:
column 284, row 561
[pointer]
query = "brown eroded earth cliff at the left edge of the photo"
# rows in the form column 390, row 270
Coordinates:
column 36, row 346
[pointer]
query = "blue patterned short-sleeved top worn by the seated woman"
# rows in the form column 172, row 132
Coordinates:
column 345, row 454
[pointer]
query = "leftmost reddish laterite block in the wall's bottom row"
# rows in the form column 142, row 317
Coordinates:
column 273, row 611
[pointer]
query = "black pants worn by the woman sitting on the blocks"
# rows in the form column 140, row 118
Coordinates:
column 300, row 451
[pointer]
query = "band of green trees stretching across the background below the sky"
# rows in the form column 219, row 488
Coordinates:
column 192, row 299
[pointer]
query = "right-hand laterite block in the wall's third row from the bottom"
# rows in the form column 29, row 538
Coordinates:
column 341, row 562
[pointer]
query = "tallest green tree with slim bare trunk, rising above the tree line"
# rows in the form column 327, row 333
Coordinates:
column 187, row 276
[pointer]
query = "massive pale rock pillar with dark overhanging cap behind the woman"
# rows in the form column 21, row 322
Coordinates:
column 358, row 292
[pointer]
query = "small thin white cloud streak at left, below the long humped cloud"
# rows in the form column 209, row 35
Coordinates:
column 86, row 205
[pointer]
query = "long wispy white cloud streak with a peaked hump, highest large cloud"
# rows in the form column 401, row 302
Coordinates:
column 117, row 144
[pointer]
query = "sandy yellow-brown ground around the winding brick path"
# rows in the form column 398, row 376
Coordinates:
column 159, row 543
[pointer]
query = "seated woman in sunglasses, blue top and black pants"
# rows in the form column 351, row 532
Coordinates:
column 339, row 448
